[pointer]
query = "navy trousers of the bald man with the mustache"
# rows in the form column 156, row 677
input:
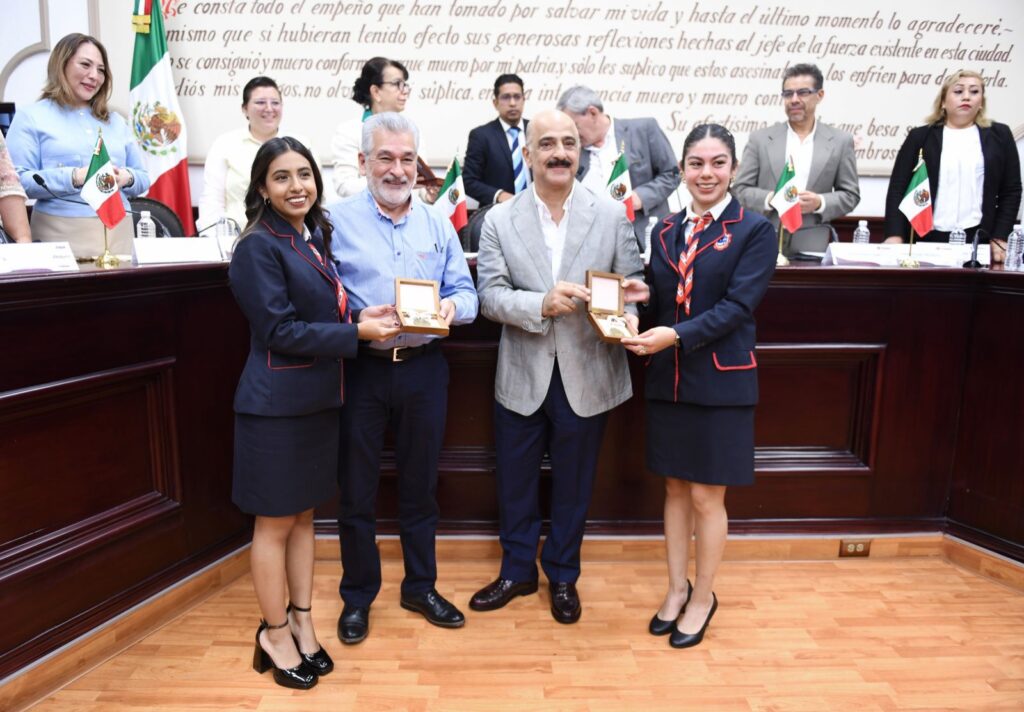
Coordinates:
column 573, row 444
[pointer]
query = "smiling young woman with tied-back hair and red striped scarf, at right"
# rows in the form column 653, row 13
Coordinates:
column 710, row 267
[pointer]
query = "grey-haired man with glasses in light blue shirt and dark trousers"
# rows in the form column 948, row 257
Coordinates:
column 383, row 233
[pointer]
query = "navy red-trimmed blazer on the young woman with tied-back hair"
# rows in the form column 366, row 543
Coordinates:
column 716, row 364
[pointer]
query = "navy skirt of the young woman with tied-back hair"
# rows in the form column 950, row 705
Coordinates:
column 709, row 445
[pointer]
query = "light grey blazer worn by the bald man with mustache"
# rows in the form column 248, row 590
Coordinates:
column 514, row 270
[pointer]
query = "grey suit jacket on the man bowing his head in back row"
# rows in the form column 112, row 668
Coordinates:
column 654, row 169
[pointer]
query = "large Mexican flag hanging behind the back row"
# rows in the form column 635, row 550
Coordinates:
column 156, row 116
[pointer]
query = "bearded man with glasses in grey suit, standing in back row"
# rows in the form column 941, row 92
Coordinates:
column 824, row 158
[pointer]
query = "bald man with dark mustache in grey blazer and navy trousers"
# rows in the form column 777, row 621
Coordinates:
column 557, row 381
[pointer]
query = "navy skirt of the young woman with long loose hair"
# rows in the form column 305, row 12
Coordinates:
column 285, row 466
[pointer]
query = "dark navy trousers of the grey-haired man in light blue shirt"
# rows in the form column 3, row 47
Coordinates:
column 412, row 399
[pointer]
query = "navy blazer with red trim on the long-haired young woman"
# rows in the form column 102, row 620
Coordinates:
column 298, row 342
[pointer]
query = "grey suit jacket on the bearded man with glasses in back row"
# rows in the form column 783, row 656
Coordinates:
column 833, row 175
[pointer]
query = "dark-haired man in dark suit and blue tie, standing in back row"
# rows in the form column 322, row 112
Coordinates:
column 494, row 170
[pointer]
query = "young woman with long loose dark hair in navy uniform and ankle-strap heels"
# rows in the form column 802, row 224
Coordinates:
column 290, row 395
